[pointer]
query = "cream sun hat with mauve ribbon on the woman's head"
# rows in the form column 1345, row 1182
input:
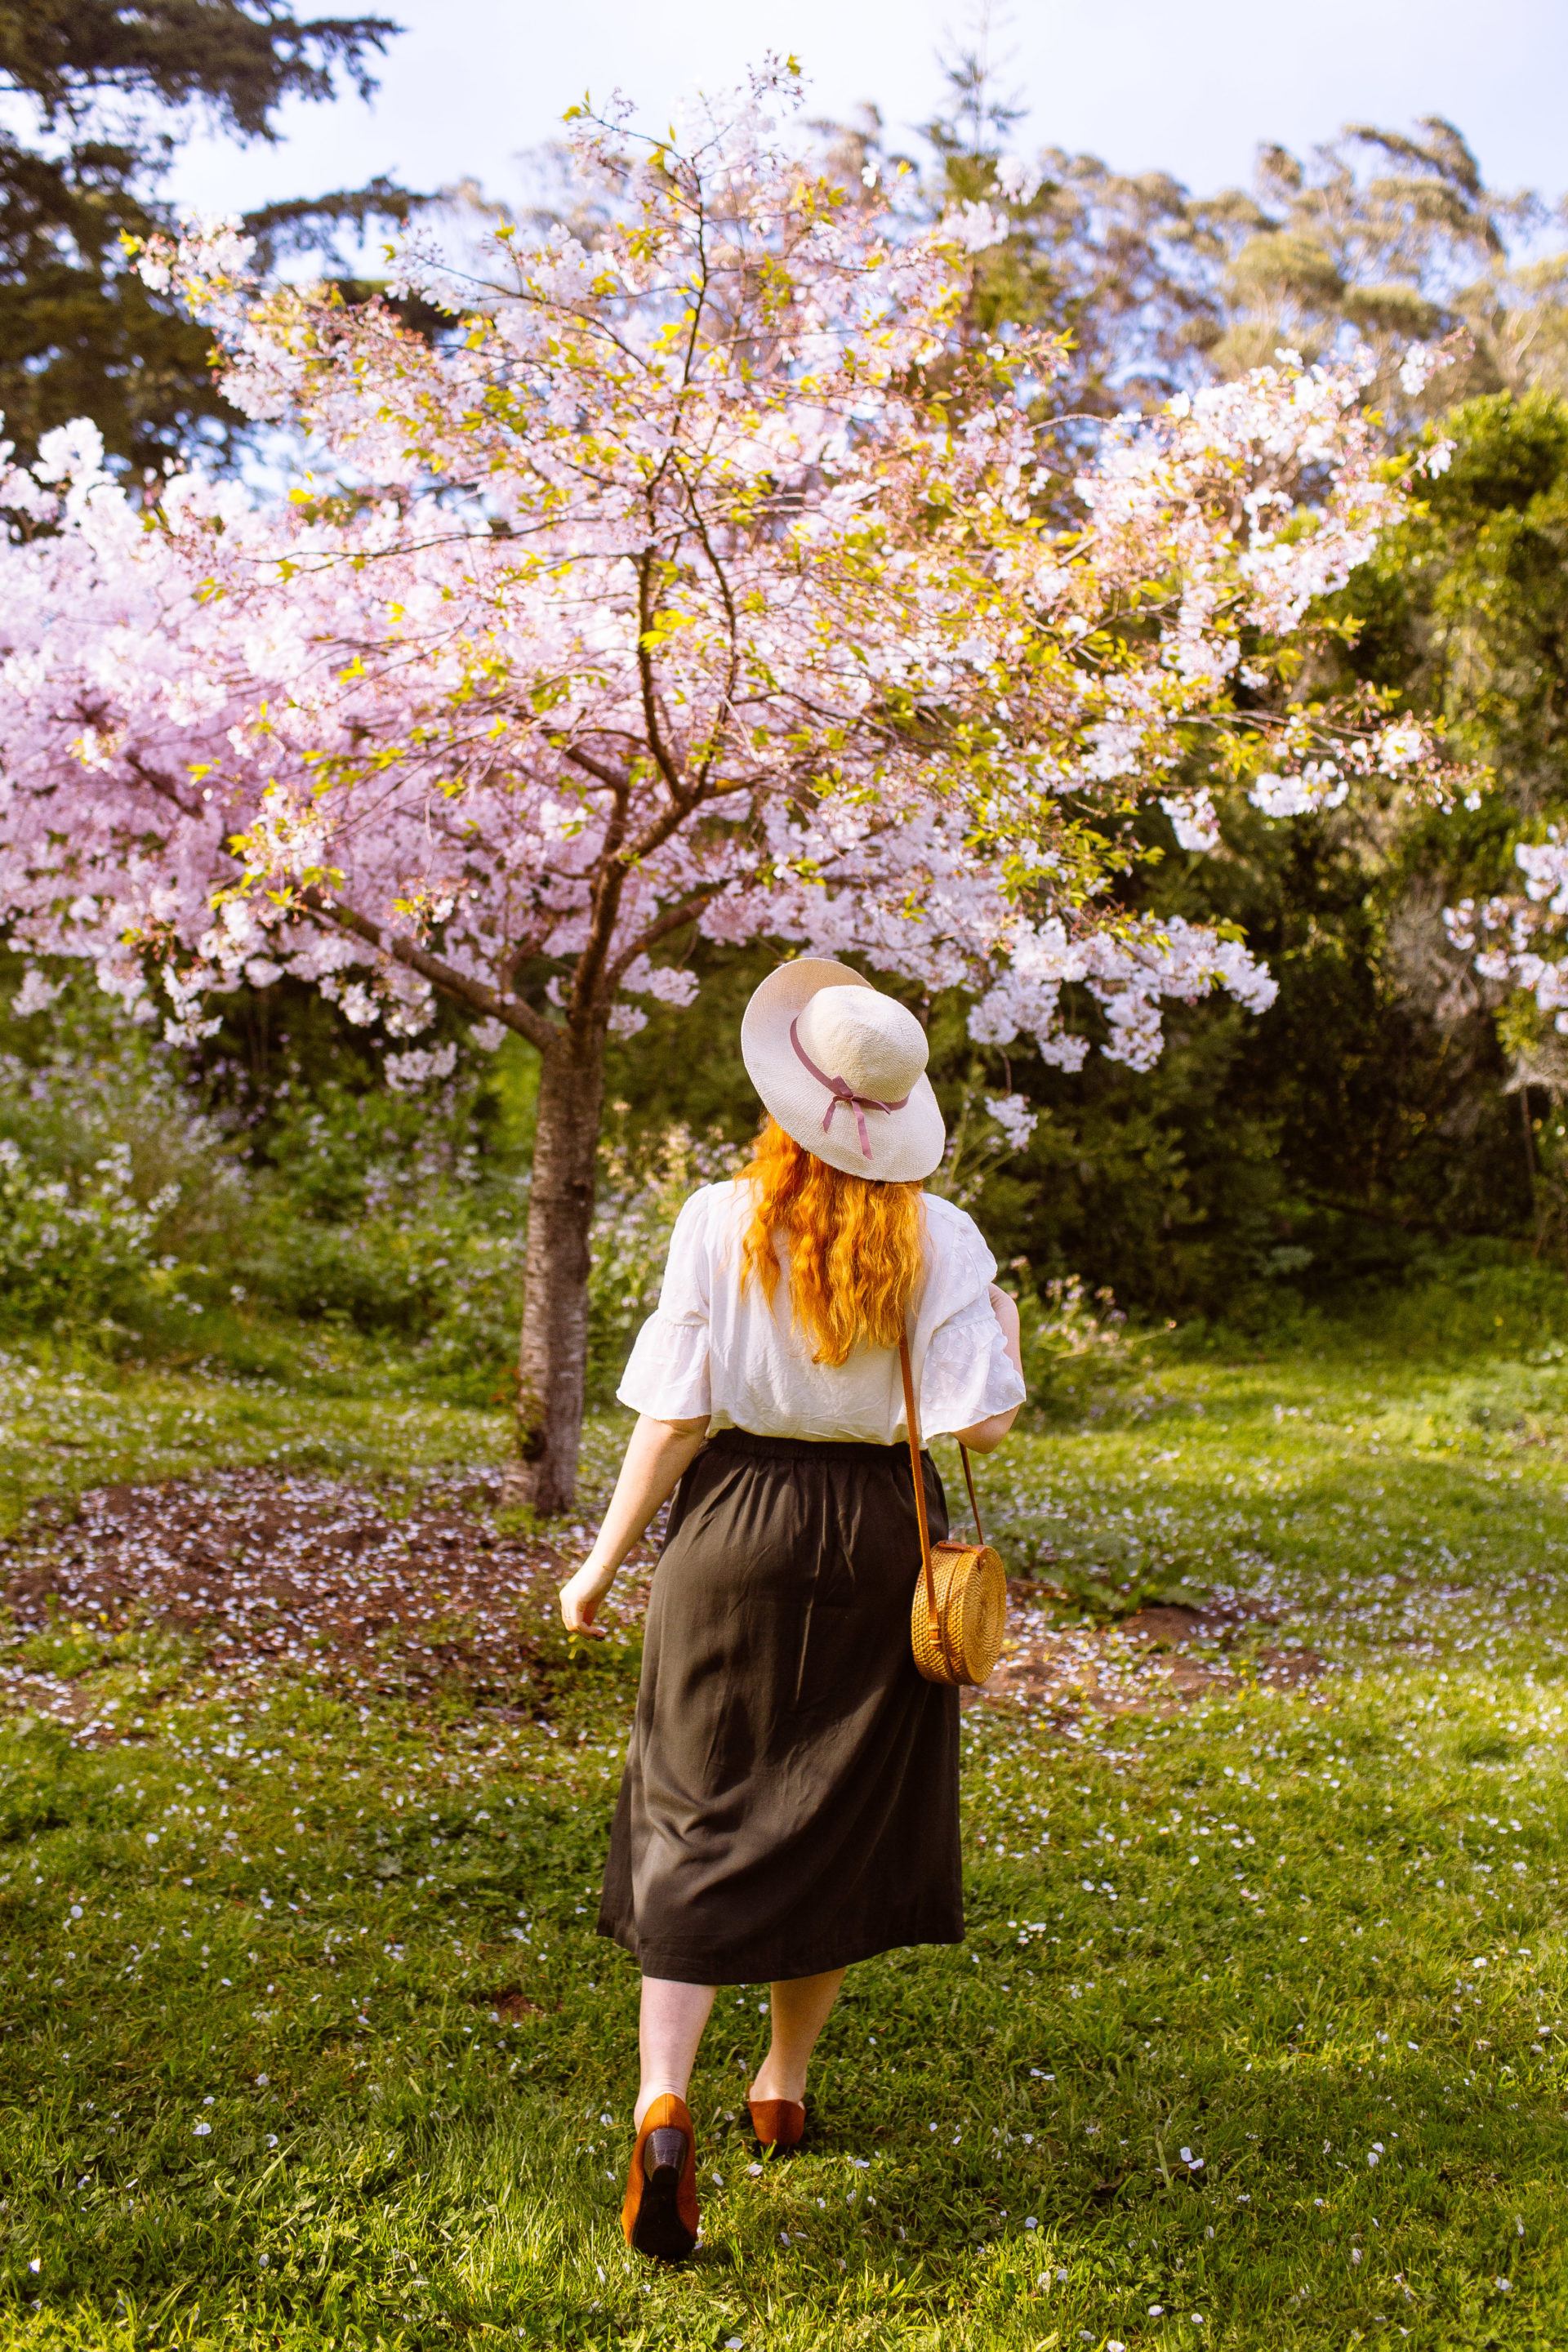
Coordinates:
column 843, row 1069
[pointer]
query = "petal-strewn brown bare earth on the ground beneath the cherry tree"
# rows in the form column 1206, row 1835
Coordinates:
column 288, row 1570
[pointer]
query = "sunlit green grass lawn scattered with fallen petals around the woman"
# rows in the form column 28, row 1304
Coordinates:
column 1257, row 2040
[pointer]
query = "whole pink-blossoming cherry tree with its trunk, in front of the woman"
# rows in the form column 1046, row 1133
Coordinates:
column 702, row 580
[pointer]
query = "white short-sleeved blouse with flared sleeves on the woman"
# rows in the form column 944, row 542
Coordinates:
column 721, row 1351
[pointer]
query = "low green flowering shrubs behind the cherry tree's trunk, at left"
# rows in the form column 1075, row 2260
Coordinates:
column 187, row 1201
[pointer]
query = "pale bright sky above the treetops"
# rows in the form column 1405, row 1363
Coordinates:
column 1146, row 83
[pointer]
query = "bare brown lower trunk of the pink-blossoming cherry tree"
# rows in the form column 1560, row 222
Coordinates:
column 554, row 1356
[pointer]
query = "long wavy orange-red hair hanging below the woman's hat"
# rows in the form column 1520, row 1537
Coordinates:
column 855, row 1245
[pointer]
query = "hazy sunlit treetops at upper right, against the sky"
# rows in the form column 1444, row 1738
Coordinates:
column 1367, row 243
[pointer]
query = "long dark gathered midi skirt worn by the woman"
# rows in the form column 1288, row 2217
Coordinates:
column 791, row 1798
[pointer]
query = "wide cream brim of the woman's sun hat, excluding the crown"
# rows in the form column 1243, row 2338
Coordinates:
column 904, row 1144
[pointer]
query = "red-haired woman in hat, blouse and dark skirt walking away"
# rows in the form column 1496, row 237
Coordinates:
column 791, row 1798
